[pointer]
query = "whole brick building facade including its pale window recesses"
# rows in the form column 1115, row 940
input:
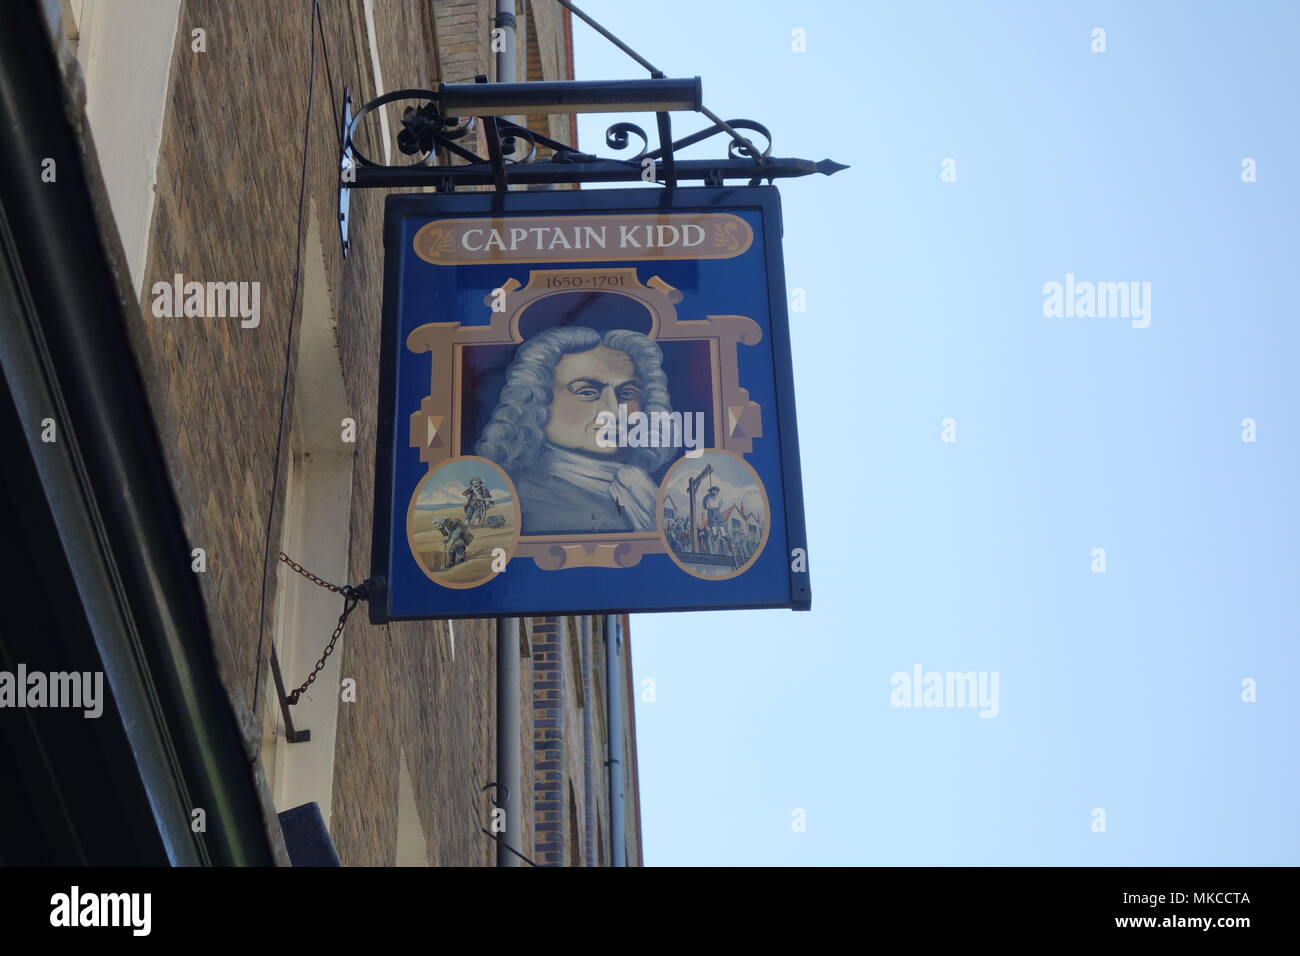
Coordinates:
column 205, row 118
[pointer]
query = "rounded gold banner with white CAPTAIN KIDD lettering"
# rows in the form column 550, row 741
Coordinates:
column 583, row 239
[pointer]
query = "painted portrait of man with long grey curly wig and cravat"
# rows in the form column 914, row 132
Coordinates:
column 544, row 431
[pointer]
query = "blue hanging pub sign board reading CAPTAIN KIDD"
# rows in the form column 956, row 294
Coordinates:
column 586, row 406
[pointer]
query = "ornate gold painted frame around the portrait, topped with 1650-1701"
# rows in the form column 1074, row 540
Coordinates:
column 436, row 426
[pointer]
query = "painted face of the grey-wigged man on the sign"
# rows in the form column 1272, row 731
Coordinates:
column 587, row 384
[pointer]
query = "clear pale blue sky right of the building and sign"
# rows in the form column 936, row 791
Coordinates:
column 1120, row 690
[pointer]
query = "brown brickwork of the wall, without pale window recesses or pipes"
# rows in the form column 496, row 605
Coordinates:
column 227, row 209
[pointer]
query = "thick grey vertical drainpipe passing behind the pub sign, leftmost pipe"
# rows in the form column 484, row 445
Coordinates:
column 509, row 725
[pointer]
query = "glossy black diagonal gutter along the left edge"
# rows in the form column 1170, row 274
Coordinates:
column 67, row 348
